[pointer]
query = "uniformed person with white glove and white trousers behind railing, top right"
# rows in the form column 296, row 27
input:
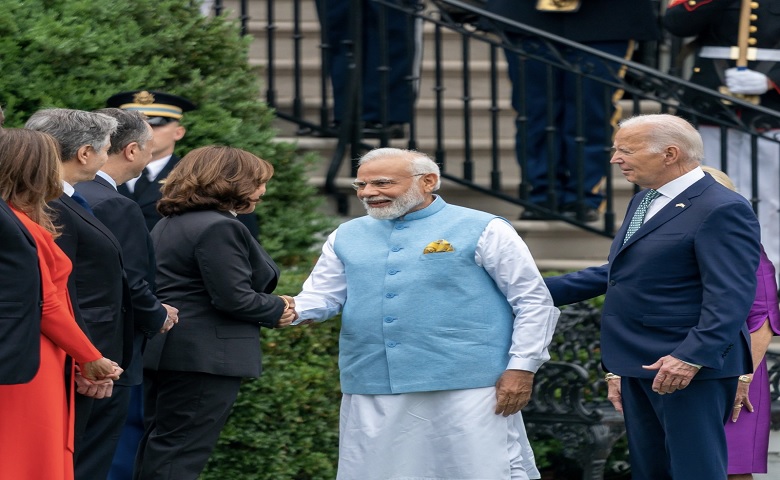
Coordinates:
column 715, row 24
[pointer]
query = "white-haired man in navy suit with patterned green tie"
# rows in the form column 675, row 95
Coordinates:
column 679, row 284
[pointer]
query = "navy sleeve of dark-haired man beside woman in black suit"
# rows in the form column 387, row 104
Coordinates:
column 126, row 221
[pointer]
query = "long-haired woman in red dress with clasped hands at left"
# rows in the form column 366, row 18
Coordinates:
column 36, row 431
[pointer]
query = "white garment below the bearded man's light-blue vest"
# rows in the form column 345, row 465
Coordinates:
column 448, row 435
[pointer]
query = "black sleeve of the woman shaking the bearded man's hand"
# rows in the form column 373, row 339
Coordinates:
column 223, row 254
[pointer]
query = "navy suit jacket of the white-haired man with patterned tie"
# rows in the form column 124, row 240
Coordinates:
column 682, row 285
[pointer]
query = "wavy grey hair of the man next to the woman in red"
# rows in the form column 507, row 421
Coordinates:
column 73, row 129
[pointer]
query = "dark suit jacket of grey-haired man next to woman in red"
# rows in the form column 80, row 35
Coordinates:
column 97, row 285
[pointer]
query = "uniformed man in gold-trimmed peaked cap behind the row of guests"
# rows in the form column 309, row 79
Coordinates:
column 164, row 112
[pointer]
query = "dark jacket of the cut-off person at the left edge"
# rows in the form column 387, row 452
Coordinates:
column 20, row 301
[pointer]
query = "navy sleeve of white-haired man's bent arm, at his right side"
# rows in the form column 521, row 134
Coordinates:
column 727, row 252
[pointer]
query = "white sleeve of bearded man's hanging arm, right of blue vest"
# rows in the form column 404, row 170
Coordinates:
column 506, row 258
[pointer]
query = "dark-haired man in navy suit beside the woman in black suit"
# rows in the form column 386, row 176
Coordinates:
column 130, row 152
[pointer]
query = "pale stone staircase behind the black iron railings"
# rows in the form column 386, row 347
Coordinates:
column 555, row 245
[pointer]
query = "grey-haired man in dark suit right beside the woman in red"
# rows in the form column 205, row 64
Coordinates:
column 98, row 286
